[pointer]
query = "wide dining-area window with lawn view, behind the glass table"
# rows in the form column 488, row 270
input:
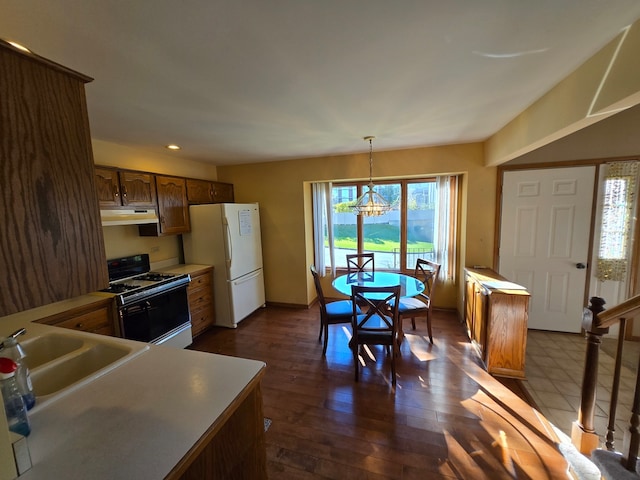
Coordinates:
column 421, row 224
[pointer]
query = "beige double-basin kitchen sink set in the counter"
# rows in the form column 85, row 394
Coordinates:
column 62, row 362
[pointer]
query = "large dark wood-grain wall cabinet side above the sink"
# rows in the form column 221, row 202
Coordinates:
column 51, row 244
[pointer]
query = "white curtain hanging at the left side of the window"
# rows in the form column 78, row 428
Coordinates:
column 322, row 221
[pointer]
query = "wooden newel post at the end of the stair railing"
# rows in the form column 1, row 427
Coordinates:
column 583, row 434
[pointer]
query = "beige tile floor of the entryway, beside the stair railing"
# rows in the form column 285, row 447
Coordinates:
column 554, row 370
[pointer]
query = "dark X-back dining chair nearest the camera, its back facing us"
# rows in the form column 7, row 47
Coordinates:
column 377, row 324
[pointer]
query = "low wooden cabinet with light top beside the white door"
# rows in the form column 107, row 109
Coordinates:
column 496, row 313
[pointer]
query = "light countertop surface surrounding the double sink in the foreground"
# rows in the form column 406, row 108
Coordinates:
column 137, row 420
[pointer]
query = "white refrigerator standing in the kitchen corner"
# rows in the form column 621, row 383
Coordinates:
column 227, row 236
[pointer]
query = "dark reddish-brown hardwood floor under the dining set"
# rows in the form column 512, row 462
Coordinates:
column 447, row 418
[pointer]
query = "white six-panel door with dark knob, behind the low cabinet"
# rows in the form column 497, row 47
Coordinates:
column 544, row 241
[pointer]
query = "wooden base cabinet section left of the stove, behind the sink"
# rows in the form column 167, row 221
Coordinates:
column 98, row 317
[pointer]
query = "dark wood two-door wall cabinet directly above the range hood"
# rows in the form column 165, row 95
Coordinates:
column 125, row 188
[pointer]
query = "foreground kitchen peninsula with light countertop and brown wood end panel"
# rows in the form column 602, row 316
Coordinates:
column 165, row 413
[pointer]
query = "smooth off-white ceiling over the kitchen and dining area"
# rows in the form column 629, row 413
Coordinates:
column 239, row 81
